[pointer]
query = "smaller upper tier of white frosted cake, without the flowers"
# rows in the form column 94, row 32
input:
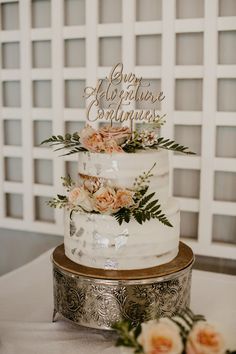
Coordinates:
column 122, row 169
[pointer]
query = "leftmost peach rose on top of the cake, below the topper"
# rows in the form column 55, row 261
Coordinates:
column 91, row 140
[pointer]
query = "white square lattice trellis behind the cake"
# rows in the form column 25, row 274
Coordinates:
column 59, row 113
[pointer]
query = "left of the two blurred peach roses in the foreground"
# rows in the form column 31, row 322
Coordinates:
column 161, row 337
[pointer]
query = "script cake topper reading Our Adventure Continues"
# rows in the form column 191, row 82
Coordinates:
column 119, row 90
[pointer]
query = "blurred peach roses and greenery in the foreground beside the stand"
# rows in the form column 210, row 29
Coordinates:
column 185, row 333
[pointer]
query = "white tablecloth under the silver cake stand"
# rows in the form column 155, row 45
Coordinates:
column 26, row 306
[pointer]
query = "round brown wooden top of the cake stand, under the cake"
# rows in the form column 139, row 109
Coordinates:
column 183, row 260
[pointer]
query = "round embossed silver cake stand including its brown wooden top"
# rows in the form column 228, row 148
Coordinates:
column 98, row 298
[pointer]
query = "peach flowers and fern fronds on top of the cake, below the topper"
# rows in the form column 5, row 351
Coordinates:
column 111, row 139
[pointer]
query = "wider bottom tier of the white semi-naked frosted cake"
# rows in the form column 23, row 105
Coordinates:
column 98, row 241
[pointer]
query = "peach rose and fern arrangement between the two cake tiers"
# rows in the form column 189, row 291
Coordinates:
column 98, row 195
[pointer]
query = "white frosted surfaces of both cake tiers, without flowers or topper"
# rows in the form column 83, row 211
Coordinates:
column 98, row 241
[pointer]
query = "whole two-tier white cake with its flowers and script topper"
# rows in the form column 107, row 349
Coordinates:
column 119, row 213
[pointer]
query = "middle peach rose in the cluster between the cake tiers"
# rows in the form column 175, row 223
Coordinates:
column 104, row 200
